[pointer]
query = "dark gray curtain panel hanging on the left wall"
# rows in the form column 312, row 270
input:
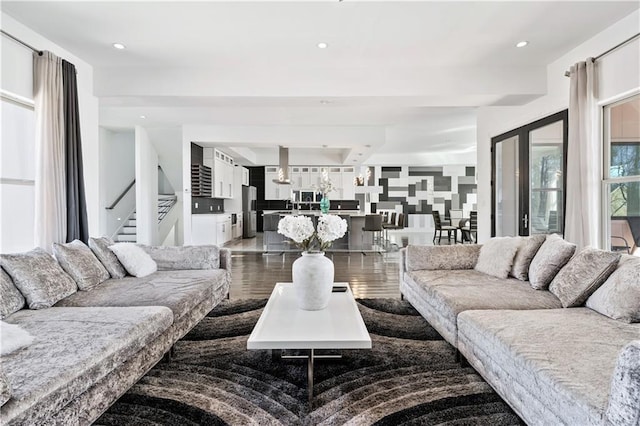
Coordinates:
column 77, row 225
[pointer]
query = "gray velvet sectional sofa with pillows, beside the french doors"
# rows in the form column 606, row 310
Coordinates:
column 567, row 355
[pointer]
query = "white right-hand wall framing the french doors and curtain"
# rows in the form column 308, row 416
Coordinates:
column 619, row 72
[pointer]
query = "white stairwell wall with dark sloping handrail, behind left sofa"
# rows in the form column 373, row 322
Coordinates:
column 117, row 171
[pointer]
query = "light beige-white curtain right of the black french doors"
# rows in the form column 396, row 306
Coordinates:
column 582, row 223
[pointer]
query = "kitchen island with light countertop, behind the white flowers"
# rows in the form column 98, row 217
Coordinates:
column 354, row 240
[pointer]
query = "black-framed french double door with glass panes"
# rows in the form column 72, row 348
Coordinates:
column 528, row 178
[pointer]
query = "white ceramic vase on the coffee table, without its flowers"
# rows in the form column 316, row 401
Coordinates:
column 312, row 280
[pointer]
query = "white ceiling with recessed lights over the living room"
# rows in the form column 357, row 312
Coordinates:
column 412, row 71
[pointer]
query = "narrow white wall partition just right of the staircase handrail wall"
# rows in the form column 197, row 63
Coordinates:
column 146, row 189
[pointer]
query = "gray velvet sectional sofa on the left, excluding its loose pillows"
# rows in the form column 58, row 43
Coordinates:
column 92, row 345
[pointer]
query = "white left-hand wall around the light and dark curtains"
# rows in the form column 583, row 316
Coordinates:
column 17, row 59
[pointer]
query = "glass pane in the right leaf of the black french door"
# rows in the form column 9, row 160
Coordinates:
column 546, row 179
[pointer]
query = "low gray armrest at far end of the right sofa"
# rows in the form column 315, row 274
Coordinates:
column 441, row 257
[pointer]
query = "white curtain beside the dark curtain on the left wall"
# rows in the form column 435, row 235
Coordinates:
column 51, row 202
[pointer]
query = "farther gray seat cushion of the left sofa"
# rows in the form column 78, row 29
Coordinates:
column 180, row 291
